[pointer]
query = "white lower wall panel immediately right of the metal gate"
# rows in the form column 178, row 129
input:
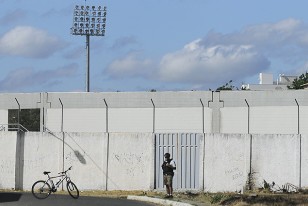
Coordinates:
column 226, row 162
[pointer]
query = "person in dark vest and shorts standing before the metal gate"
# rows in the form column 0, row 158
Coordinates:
column 168, row 166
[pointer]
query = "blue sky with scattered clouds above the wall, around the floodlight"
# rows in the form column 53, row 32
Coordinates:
column 151, row 44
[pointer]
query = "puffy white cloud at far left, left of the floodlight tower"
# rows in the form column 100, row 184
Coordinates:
column 29, row 42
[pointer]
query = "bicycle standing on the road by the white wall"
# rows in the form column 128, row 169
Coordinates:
column 42, row 189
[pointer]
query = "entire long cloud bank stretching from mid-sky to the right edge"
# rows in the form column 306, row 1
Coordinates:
column 218, row 58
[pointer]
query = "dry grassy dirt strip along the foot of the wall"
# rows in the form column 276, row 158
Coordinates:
column 210, row 199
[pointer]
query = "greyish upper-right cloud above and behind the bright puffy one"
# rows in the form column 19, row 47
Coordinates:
column 285, row 40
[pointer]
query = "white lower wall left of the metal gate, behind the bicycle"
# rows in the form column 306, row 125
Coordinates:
column 129, row 165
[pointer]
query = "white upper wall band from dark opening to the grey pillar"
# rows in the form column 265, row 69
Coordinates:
column 130, row 120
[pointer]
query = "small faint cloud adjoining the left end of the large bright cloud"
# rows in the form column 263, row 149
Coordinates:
column 130, row 66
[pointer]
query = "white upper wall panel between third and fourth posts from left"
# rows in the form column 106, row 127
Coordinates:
column 130, row 120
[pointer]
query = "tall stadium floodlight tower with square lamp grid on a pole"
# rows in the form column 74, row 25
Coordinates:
column 89, row 21
